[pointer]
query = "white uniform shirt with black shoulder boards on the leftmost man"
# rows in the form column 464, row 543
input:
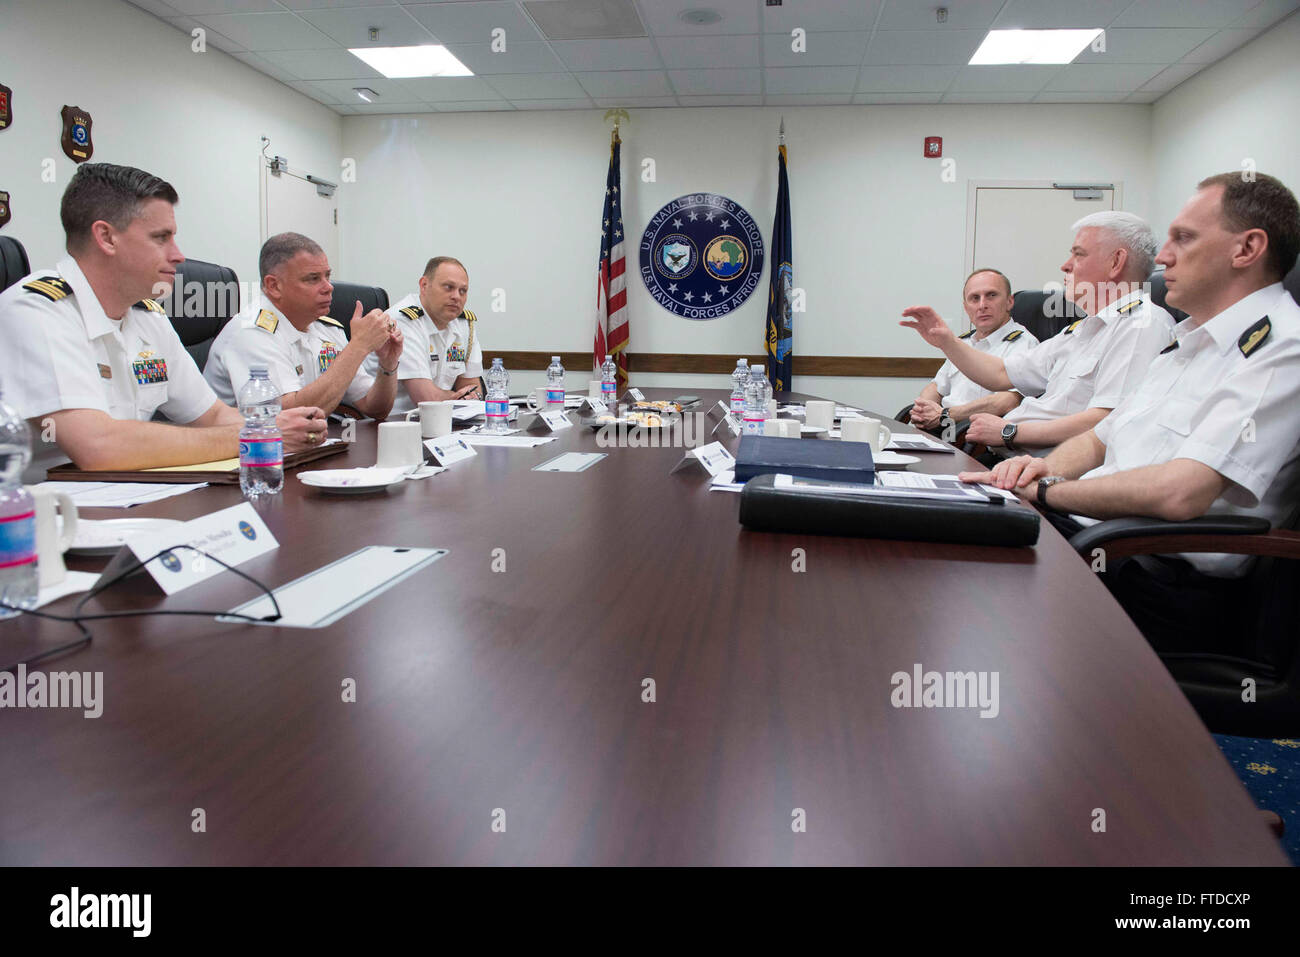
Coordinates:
column 59, row 350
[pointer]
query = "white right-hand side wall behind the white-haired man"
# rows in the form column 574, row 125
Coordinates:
column 1246, row 106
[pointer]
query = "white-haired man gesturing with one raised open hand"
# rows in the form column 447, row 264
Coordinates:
column 1074, row 379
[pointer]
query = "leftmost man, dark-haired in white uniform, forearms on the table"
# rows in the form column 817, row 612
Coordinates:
column 89, row 358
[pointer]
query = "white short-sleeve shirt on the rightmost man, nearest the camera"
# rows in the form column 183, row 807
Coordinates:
column 1227, row 395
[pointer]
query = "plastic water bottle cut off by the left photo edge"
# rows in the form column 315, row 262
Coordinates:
column 19, row 579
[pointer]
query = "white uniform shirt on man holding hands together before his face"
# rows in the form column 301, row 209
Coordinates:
column 261, row 335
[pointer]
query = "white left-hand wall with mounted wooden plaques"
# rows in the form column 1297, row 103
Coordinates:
column 193, row 119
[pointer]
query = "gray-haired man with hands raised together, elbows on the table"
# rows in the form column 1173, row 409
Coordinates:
column 288, row 330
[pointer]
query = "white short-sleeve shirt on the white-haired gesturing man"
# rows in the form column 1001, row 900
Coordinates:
column 1093, row 363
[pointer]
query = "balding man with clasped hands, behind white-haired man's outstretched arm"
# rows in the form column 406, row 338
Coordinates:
column 987, row 300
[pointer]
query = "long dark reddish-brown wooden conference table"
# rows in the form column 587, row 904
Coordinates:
column 517, row 698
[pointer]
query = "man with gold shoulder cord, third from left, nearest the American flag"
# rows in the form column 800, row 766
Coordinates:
column 443, row 358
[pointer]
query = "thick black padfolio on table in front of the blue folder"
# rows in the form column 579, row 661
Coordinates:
column 768, row 509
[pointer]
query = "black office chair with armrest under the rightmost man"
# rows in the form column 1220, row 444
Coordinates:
column 1269, row 638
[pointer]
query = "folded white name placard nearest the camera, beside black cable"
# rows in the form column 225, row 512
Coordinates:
column 233, row 535
